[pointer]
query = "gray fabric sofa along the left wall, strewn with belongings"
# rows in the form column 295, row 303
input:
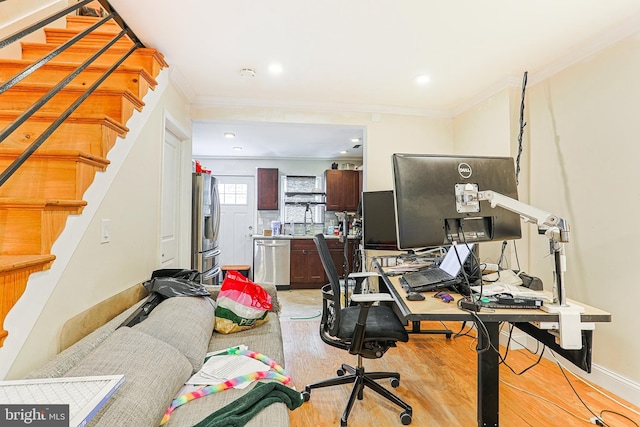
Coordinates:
column 158, row 355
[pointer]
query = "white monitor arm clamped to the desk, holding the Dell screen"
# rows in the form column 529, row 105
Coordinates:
column 555, row 228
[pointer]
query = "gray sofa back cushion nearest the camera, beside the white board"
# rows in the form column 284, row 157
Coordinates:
column 154, row 372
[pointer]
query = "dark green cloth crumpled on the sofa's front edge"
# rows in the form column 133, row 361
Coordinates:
column 239, row 412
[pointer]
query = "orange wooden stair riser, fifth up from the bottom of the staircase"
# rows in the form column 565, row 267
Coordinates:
column 112, row 104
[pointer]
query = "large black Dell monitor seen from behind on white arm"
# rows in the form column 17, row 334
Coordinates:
column 429, row 190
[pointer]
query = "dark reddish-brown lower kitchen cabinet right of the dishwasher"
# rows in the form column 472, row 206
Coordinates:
column 307, row 271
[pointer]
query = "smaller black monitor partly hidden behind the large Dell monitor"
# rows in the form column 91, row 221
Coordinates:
column 379, row 221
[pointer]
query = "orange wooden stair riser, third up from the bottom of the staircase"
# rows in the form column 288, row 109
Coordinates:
column 50, row 178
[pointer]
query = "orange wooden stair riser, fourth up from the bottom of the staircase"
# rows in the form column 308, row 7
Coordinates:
column 92, row 138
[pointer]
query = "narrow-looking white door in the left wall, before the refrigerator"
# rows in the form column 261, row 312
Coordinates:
column 170, row 200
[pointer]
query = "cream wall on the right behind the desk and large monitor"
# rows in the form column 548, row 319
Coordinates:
column 579, row 162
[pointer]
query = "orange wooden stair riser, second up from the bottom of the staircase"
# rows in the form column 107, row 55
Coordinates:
column 31, row 231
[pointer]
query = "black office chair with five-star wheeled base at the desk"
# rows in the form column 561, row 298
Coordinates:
column 365, row 330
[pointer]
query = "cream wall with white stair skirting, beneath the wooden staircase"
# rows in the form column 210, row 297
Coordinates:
column 93, row 272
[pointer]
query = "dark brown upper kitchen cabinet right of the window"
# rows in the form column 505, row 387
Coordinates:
column 343, row 188
